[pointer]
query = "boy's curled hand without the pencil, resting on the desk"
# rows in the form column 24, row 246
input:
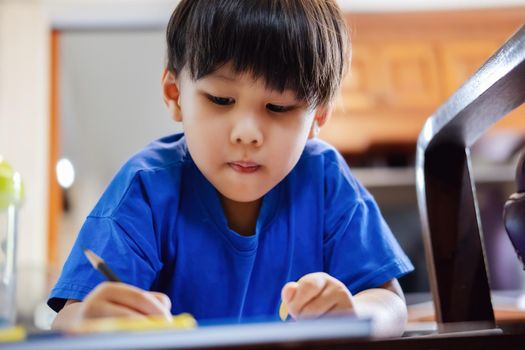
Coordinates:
column 316, row 294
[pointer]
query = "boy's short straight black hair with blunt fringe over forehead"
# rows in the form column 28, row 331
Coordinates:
column 302, row 45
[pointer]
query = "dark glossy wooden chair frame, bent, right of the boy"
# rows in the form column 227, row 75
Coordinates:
column 446, row 191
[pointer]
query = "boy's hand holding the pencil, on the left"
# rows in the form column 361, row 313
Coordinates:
column 113, row 299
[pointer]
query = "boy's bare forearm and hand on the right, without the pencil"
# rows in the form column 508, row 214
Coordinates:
column 318, row 294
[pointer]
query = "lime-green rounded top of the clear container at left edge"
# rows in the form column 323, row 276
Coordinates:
column 11, row 186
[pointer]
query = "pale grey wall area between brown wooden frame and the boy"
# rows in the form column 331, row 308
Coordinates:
column 110, row 107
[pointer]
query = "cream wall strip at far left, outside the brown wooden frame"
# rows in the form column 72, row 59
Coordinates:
column 24, row 116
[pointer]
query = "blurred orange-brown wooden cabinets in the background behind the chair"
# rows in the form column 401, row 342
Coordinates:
column 404, row 66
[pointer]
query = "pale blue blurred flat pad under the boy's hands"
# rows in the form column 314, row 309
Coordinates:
column 253, row 334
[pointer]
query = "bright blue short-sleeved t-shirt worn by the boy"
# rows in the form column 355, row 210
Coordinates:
column 160, row 226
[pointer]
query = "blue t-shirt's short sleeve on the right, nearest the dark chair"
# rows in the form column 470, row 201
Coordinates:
column 359, row 247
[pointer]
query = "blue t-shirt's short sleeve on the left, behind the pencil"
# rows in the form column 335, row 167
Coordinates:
column 124, row 237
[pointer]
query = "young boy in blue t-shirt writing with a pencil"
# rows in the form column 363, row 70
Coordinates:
column 246, row 208
